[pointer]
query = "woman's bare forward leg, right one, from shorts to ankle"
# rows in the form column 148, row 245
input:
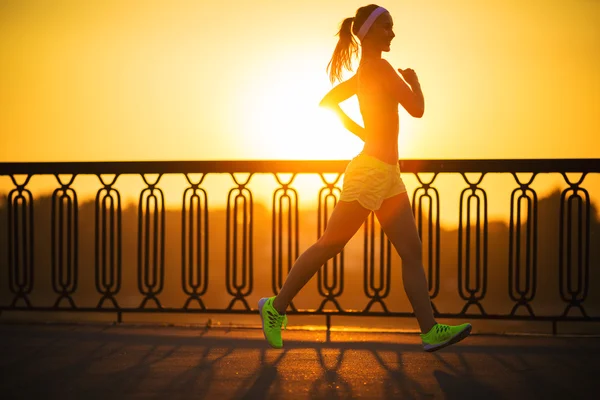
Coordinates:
column 398, row 223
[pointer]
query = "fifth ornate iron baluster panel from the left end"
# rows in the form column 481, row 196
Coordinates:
column 194, row 242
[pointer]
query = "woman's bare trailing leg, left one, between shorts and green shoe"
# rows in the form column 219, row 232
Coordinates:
column 345, row 220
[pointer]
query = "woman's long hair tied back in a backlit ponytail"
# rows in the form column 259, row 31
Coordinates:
column 347, row 47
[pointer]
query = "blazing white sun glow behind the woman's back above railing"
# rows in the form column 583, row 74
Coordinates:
column 285, row 121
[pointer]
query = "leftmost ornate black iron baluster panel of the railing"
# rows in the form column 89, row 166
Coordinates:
column 20, row 241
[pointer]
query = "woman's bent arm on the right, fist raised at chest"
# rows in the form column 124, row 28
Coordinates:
column 411, row 97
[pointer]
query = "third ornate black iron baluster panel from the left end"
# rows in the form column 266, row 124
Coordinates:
column 108, row 242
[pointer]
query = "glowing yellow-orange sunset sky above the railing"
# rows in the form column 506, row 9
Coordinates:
column 162, row 80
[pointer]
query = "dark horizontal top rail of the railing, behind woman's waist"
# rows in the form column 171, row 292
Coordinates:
column 295, row 166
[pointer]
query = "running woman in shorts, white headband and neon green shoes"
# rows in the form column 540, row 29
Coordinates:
column 372, row 180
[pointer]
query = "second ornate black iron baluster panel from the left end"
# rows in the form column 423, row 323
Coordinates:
column 64, row 241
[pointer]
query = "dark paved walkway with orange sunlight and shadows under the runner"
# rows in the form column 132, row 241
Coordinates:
column 151, row 362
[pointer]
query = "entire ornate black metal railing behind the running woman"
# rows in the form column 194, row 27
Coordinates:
column 573, row 252
